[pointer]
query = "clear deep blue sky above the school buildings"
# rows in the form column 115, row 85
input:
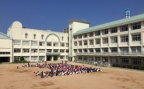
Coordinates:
column 54, row 14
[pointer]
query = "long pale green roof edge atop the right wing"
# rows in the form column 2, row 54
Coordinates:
column 121, row 22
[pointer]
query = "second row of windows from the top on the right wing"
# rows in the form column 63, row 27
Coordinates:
column 136, row 37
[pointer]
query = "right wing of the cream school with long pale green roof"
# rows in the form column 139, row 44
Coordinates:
column 117, row 43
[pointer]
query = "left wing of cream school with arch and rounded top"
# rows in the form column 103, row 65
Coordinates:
column 34, row 44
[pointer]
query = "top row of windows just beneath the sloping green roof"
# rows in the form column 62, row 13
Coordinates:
column 134, row 26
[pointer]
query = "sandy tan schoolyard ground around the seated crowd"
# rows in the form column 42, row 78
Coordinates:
column 110, row 78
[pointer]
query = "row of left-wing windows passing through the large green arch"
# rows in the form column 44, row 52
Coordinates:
column 35, row 43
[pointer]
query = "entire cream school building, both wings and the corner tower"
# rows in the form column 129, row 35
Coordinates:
column 117, row 43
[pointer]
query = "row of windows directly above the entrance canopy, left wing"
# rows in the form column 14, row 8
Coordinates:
column 17, row 50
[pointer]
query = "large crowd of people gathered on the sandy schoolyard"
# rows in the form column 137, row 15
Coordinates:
column 63, row 69
